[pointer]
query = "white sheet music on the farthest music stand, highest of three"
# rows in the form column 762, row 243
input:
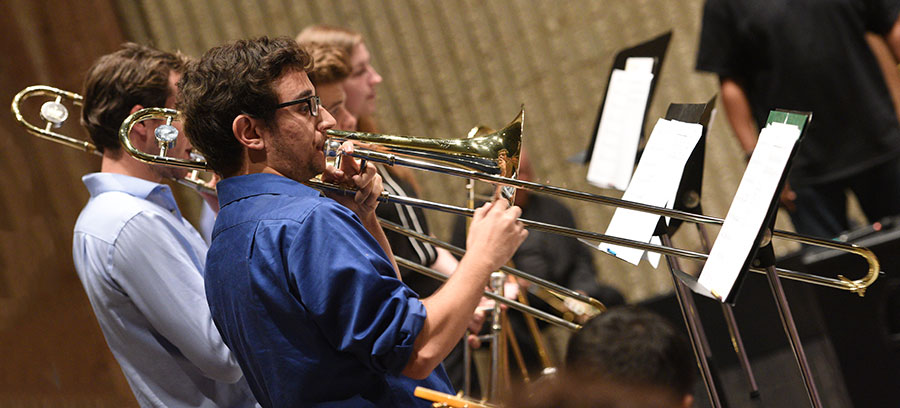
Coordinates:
column 620, row 125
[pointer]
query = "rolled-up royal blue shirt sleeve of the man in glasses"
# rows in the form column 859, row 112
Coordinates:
column 349, row 287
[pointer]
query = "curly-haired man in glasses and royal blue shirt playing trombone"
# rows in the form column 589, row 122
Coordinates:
column 303, row 287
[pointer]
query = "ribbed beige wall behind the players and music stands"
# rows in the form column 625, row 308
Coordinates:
column 449, row 65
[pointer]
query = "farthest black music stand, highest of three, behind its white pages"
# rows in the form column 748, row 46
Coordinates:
column 656, row 49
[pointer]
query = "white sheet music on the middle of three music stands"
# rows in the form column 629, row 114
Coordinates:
column 655, row 182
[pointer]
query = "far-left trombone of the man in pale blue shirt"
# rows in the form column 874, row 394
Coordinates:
column 54, row 113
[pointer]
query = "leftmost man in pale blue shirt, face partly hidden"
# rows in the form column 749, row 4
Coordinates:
column 139, row 260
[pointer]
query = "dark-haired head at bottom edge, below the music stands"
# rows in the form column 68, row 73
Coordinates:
column 633, row 346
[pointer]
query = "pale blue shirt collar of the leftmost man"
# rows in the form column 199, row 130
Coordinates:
column 159, row 194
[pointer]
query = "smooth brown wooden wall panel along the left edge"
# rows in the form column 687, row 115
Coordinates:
column 53, row 353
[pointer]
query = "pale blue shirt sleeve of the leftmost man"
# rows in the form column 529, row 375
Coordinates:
column 158, row 270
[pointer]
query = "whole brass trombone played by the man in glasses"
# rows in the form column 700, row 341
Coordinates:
column 494, row 158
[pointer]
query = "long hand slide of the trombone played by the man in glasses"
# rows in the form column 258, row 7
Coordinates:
column 856, row 286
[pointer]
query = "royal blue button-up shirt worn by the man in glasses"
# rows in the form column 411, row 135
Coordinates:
column 308, row 300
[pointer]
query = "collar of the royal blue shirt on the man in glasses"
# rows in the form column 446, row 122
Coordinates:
column 240, row 187
